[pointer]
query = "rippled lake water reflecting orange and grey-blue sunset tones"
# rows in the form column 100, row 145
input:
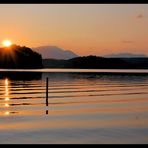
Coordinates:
column 83, row 107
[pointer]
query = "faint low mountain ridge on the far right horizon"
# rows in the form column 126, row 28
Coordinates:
column 125, row 55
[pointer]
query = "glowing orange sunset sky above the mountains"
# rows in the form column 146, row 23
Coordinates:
column 85, row 29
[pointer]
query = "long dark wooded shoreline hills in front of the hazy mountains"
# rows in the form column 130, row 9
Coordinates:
column 94, row 62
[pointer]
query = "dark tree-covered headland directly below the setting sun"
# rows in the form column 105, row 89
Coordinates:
column 19, row 57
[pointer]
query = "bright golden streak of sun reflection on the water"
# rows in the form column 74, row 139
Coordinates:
column 7, row 95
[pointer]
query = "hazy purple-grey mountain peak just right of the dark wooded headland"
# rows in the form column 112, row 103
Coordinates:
column 54, row 52
